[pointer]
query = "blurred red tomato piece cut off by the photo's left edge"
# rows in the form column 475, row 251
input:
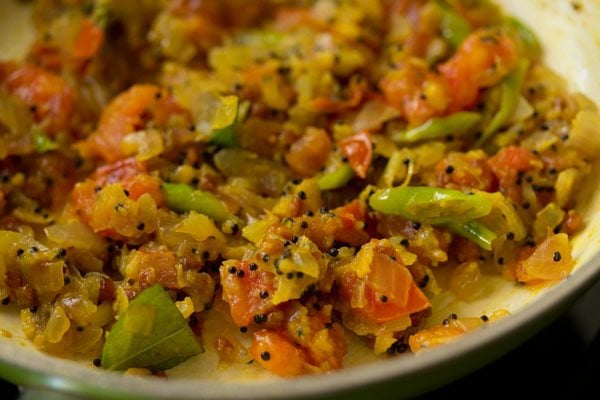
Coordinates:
column 48, row 93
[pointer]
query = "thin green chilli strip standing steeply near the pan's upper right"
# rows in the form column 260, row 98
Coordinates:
column 511, row 91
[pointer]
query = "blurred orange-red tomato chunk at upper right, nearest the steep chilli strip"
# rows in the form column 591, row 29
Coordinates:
column 483, row 59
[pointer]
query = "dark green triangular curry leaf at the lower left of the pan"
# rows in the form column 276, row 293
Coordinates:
column 151, row 334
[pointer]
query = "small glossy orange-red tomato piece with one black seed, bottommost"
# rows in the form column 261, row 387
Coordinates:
column 277, row 354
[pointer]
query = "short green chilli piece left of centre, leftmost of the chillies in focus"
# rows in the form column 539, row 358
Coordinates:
column 182, row 198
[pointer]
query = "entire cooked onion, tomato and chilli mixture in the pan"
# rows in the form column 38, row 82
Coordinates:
column 307, row 169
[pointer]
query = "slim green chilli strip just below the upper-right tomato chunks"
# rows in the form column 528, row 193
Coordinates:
column 458, row 123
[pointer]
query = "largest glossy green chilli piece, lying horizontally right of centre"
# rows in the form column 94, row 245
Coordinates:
column 430, row 205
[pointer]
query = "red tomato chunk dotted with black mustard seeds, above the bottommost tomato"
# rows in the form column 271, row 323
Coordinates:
column 244, row 294
